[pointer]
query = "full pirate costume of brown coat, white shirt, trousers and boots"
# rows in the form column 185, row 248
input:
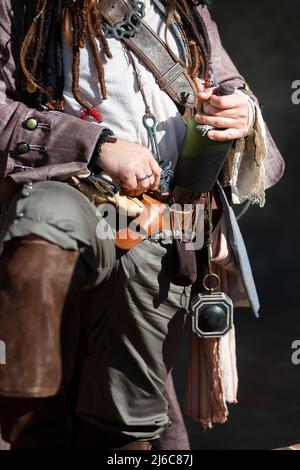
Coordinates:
column 71, row 304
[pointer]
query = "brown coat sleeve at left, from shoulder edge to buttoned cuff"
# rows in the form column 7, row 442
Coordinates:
column 60, row 145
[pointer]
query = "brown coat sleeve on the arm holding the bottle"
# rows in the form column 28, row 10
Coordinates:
column 225, row 71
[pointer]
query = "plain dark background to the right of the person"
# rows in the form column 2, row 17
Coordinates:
column 263, row 39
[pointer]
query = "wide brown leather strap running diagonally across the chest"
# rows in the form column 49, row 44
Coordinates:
column 170, row 74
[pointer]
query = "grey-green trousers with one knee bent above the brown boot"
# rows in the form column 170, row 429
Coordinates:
column 135, row 315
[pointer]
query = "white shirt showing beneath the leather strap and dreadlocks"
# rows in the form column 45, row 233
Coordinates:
column 124, row 107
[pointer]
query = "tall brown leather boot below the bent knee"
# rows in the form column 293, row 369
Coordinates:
column 40, row 289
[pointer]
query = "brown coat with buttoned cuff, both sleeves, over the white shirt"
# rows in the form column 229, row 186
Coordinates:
column 67, row 143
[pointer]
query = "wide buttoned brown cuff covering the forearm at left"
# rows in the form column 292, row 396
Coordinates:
column 59, row 145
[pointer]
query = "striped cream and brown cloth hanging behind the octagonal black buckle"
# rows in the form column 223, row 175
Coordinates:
column 212, row 373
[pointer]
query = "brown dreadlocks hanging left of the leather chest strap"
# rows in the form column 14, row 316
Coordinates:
column 82, row 23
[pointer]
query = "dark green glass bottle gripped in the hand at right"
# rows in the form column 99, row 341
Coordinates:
column 201, row 159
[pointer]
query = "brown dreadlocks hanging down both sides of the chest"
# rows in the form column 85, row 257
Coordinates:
column 82, row 24
